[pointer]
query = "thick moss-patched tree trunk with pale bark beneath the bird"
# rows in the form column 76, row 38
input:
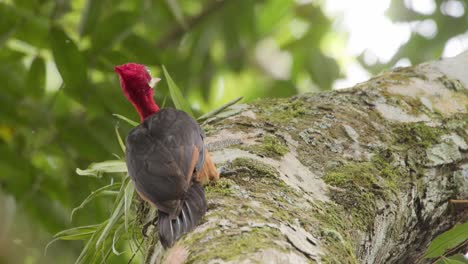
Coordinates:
column 361, row 175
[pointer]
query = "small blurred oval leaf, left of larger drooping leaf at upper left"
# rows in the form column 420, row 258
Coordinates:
column 35, row 80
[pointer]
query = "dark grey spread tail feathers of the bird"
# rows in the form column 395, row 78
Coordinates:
column 193, row 209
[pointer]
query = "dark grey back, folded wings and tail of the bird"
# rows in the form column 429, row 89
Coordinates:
column 162, row 155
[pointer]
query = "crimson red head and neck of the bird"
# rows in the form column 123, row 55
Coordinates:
column 136, row 83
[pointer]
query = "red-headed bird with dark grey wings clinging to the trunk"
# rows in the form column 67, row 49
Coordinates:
column 166, row 158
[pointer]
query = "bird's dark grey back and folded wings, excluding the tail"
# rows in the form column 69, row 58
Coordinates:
column 161, row 156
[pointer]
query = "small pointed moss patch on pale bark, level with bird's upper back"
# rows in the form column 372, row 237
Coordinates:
column 271, row 147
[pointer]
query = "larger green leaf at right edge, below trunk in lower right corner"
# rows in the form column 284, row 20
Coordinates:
column 447, row 240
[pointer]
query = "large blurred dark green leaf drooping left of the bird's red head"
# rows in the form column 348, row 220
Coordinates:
column 70, row 62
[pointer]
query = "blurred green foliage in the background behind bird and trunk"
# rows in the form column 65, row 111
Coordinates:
column 58, row 90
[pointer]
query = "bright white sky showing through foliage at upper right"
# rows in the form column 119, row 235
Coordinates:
column 373, row 34
